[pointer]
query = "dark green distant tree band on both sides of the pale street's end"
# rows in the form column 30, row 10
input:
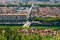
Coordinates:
column 29, row 5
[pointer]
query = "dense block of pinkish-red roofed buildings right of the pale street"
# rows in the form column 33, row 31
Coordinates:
column 46, row 12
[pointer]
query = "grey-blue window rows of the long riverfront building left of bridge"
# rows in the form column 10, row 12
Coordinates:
column 12, row 17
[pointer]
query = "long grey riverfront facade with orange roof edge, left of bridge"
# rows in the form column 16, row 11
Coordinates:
column 12, row 19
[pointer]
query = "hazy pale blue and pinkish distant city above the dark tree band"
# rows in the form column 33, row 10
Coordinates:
column 28, row 1
